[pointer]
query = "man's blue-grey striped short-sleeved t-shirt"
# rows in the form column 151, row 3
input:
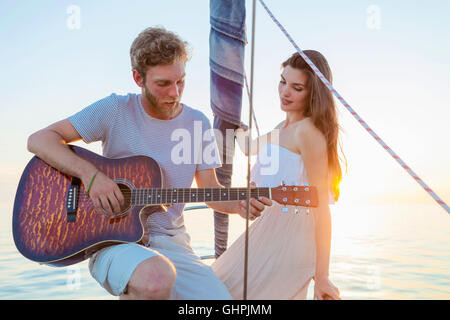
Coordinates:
column 181, row 146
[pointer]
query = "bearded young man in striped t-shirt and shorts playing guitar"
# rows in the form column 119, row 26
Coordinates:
column 144, row 124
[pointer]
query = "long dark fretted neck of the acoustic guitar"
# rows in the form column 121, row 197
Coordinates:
column 188, row 195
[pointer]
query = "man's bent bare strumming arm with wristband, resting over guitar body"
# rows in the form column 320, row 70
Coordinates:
column 50, row 144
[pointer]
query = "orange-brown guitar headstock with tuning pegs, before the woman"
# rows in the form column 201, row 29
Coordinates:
column 304, row 196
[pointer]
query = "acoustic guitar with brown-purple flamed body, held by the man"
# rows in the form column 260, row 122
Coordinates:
column 55, row 222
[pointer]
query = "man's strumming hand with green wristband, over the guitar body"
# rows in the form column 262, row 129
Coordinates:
column 104, row 193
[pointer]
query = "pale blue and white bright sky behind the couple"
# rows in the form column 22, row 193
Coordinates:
column 390, row 61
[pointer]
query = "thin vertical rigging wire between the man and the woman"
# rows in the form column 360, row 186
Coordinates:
column 249, row 137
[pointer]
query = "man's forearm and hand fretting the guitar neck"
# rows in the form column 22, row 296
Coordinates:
column 208, row 179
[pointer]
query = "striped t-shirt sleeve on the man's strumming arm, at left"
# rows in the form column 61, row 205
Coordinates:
column 95, row 120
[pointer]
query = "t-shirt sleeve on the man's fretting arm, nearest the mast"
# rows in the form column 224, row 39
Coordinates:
column 210, row 157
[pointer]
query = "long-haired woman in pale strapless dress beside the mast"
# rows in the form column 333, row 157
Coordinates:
column 288, row 249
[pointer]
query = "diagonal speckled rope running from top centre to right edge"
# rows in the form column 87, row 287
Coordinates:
column 356, row 116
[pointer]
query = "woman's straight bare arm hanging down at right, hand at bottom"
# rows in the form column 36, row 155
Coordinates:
column 313, row 147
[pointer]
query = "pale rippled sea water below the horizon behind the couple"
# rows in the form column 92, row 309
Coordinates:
column 378, row 252
